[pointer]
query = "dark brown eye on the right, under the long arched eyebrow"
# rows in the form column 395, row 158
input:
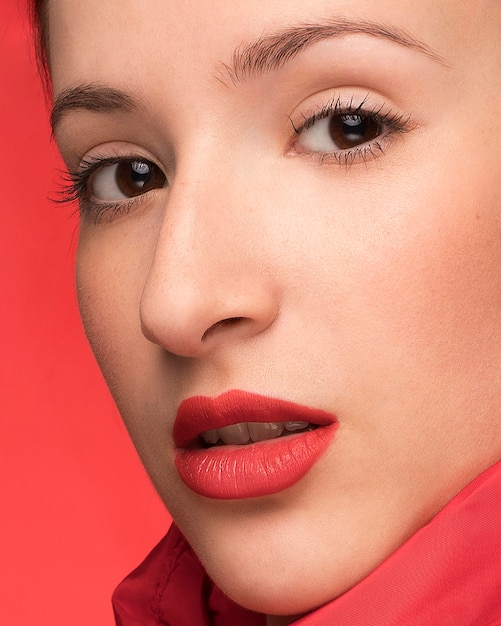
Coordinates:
column 339, row 132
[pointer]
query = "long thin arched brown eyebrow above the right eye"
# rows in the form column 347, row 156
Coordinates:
column 271, row 52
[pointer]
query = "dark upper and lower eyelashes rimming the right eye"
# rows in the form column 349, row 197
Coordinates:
column 397, row 123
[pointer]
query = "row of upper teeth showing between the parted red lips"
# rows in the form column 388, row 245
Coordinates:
column 245, row 432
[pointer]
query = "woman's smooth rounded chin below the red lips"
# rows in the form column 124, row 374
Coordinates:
column 276, row 572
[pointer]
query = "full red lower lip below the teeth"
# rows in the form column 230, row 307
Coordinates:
column 253, row 470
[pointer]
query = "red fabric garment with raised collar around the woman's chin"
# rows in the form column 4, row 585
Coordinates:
column 447, row 574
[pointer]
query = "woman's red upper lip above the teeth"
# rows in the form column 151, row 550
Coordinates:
column 198, row 414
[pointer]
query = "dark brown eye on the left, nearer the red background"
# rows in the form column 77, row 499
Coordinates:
column 126, row 179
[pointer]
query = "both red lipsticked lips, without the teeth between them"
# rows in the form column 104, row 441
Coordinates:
column 256, row 469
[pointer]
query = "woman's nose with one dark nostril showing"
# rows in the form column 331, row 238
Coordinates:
column 208, row 283
